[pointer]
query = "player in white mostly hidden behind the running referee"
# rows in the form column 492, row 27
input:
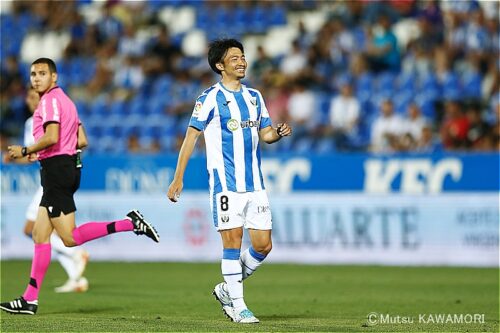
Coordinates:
column 72, row 260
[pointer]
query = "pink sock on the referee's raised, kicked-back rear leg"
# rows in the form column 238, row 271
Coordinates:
column 92, row 230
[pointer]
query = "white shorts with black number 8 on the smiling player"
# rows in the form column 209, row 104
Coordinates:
column 250, row 210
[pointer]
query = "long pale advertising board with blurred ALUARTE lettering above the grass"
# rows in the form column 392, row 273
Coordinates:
column 442, row 229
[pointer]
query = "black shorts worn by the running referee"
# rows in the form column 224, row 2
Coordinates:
column 60, row 179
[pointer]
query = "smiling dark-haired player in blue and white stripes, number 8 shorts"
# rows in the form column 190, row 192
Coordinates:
column 233, row 118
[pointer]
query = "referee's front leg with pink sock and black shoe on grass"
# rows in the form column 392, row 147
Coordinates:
column 28, row 303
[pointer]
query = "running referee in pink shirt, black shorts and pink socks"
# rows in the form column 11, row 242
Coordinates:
column 58, row 131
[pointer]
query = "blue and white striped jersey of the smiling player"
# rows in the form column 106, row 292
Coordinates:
column 231, row 122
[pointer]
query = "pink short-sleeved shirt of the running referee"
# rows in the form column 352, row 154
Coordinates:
column 56, row 106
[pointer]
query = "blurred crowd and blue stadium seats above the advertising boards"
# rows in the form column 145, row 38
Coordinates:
column 385, row 77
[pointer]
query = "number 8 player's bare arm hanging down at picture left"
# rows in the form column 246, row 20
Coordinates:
column 175, row 189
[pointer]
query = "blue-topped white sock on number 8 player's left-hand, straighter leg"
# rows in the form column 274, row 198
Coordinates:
column 232, row 272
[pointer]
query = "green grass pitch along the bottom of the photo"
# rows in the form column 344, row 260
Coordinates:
column 153, row 297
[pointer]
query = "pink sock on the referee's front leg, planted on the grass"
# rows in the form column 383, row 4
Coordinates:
column 39, row 266
